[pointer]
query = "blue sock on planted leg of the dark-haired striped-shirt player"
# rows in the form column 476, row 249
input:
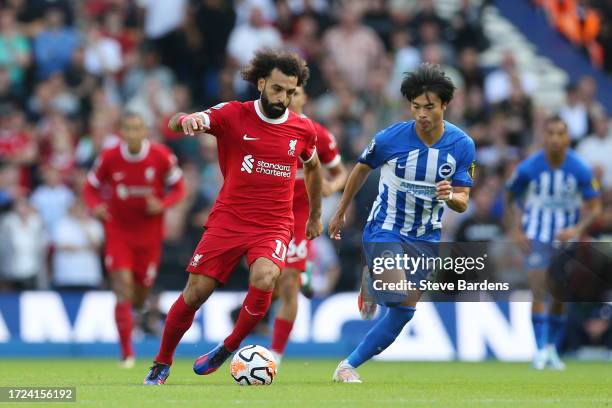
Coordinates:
column 382, row 334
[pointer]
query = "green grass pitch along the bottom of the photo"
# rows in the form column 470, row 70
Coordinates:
column 306, row 383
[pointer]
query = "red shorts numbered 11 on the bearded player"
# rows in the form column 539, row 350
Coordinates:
column 220, row 250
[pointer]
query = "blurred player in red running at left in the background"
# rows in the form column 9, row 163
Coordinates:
column 129, row 188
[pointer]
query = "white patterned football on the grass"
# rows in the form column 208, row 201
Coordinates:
column 253, row 365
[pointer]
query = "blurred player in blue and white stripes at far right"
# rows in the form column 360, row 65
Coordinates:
column 550, row 186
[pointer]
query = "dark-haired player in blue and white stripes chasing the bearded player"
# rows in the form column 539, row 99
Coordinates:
column 425, row 163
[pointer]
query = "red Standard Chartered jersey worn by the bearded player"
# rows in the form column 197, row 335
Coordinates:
column 258, row 157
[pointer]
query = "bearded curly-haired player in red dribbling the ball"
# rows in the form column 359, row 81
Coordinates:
column 259, row 144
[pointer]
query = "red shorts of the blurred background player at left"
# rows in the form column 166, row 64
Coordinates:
column 141, row 260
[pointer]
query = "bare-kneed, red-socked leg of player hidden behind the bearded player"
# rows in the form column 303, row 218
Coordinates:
column 288, row 285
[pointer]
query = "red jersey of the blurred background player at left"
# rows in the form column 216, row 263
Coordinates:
column 132, row 178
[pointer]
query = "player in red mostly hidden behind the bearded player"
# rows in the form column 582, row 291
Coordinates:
column 288, row 284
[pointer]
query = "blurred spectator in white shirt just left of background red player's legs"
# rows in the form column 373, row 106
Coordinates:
column 77, row 240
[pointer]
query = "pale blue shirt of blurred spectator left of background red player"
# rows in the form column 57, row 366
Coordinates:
column 52, row 203
